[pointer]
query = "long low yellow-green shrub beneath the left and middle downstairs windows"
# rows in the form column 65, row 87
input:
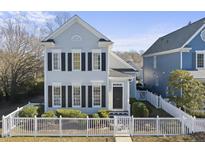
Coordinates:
column 70, row 113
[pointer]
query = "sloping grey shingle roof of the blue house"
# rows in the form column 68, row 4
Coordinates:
column 176, row 39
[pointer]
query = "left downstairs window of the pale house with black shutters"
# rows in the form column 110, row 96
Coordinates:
column 57, row 99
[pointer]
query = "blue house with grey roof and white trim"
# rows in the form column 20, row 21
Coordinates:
column 183, row 49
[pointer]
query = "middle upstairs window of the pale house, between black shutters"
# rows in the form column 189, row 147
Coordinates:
column 76, row 58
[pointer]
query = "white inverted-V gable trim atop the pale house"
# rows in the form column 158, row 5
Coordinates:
column 70, row 22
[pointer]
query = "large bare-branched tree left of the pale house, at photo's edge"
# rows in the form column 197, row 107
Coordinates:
column 20, row 57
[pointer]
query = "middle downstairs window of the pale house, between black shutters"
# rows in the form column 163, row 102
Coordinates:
column 76, row 96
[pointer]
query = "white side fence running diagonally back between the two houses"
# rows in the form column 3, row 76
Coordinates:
column 190, row 122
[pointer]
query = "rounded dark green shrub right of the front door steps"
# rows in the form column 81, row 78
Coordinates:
column 139, row 110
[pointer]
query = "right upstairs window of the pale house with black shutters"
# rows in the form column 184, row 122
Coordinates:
column 96, row 58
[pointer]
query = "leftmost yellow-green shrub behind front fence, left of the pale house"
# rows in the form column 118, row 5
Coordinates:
column 28, row 111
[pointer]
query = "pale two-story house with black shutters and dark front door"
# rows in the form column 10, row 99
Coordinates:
column 81, row 72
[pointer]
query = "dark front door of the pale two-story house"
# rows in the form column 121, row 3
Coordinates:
column 117, row 97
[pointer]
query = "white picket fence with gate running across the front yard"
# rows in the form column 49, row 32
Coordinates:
column 117, row 126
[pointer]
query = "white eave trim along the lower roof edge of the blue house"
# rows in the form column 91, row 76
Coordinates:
column 168, row 52
